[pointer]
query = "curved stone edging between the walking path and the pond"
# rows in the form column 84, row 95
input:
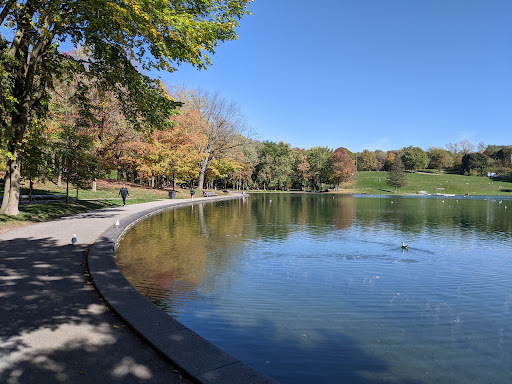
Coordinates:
column 198, row 358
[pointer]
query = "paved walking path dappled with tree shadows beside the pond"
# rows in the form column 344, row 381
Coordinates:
column 54, row 328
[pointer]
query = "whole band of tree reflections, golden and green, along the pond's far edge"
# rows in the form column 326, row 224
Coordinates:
column 174, row 252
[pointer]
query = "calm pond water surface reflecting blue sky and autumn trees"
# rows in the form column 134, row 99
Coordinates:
column 315, row 288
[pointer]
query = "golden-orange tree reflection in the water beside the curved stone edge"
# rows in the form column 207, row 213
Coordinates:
column 169, row 254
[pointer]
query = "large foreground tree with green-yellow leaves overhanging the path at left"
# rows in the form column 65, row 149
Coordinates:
column 119, row 38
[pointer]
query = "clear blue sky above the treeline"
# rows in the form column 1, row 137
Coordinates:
column 369, row 74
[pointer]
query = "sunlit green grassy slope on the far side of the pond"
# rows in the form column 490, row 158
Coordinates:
column 454, row 184
